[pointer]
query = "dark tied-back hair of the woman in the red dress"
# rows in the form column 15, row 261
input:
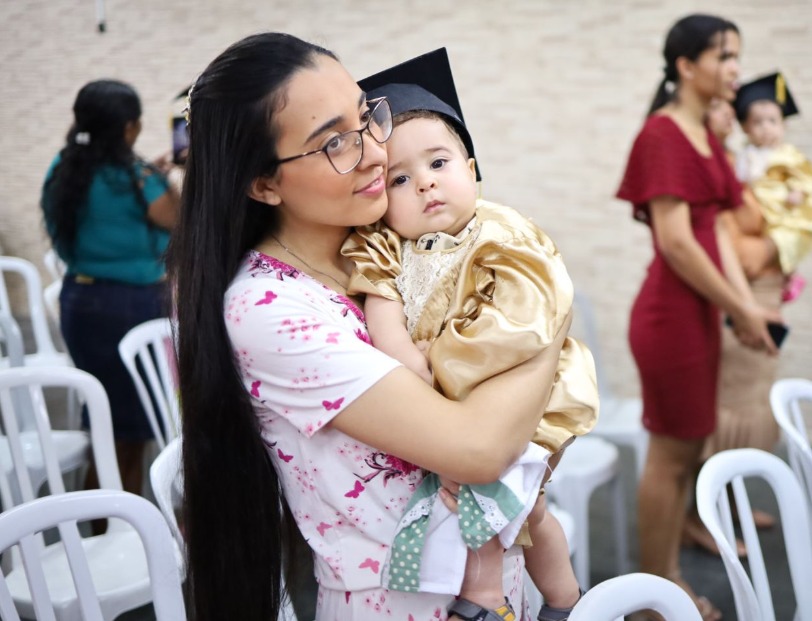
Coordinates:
column 688, row 38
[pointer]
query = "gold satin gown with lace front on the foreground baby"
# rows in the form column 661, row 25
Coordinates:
column 495, row 300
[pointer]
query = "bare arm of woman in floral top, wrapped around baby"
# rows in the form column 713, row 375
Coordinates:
column 471, row 441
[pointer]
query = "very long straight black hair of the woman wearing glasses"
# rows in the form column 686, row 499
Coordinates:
column 234, row 526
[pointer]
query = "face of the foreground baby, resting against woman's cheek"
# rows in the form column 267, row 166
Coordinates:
column 430, row 183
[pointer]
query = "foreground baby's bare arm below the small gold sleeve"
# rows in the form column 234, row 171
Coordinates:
column 386, row 323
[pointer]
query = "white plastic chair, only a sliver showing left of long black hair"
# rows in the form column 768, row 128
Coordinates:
column 166, row 477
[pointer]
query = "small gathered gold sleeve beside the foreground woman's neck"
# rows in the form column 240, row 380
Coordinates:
column 375, row 251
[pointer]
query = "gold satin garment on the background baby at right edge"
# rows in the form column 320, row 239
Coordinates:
column 789, row 226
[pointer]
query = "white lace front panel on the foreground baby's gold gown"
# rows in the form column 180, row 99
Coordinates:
column 420, row 273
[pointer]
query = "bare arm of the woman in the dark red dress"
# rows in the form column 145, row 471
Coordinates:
column 671, row 222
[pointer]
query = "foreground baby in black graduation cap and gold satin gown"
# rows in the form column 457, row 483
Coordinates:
column 481, row 289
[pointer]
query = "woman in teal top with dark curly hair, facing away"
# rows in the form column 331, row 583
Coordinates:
column 109, row 214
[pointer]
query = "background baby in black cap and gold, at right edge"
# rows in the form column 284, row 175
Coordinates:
column 778, row 173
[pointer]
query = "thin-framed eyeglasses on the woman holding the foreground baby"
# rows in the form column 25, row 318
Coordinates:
column 346, row 150
